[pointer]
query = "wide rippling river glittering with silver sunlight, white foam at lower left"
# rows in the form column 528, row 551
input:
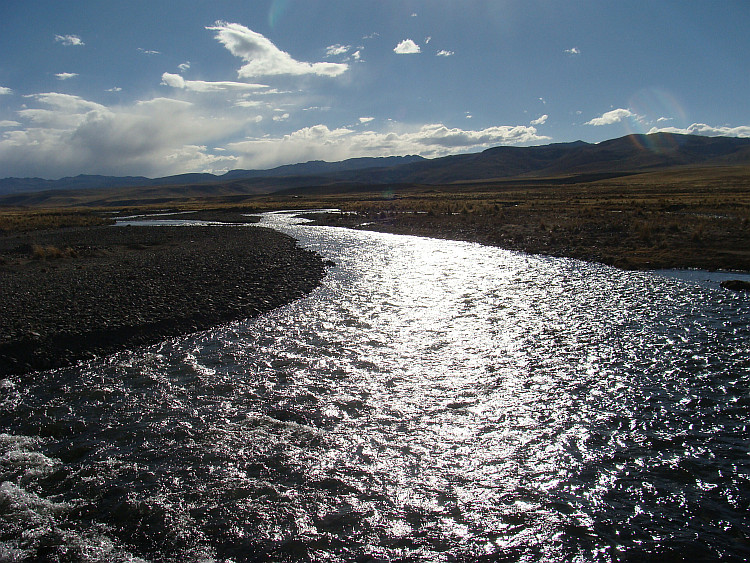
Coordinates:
column 431, row 401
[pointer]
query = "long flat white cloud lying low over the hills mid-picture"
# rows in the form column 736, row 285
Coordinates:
column 321, row 143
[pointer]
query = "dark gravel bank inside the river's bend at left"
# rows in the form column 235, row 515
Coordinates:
column 72, row 294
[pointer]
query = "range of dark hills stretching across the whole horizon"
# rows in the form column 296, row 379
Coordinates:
column 564, row 162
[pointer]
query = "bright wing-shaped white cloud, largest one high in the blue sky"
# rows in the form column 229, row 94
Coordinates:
column 263, row 58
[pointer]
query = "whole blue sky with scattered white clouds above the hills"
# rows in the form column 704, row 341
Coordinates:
column 155, row 87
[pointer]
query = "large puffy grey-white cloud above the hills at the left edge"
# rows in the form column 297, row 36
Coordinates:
column 68, row 135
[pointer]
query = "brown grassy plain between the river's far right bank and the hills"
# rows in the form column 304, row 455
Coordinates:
column 695, row 217
